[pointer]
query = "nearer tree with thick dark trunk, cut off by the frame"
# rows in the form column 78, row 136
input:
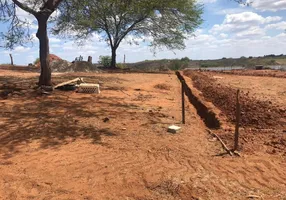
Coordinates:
column 18, row 32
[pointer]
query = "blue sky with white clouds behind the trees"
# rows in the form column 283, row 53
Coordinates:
column 229, row 30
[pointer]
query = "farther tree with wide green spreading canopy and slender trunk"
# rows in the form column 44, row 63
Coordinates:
column 165, row 22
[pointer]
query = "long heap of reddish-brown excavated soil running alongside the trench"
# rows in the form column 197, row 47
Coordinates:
column 255, row 113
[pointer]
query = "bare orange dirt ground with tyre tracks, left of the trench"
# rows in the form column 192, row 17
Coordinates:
column 58, row 147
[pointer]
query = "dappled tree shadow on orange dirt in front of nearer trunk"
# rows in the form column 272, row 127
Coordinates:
column 54, row 120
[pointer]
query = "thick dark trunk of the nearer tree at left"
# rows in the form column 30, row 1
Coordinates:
column 42, row 35
